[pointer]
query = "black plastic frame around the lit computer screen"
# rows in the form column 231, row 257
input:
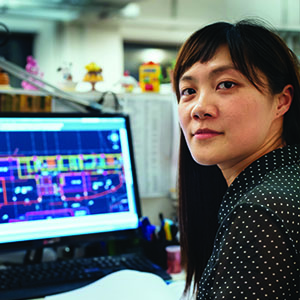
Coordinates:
column 80, row 239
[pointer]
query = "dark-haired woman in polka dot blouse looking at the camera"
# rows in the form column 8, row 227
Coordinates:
column 238, row 94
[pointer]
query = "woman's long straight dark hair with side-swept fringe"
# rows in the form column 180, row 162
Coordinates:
column 253, row 47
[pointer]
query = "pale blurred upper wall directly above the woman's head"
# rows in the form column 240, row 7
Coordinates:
column 159, row 22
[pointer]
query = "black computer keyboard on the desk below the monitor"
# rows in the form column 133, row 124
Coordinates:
column 38, row 280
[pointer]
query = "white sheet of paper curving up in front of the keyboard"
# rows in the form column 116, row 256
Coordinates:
column 125, row 285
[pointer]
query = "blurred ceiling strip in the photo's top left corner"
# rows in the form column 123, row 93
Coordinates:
column 63, row 10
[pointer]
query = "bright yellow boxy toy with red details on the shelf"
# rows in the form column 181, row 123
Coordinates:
column 149, row 76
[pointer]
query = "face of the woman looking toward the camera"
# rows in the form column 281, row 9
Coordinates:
column 224, row 118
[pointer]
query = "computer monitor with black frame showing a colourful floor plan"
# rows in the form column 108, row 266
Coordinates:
column 65, row 175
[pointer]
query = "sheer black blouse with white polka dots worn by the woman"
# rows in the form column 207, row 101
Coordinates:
column 256, row 249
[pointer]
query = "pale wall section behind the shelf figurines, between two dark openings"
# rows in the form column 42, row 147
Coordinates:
column 82, row 44
